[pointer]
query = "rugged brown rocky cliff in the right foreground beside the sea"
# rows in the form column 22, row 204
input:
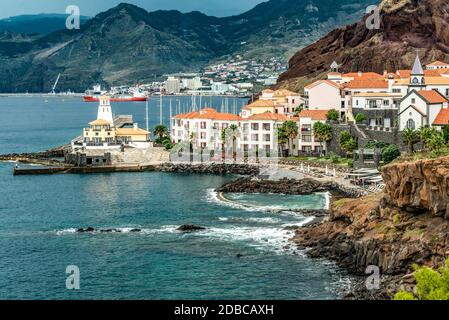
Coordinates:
column 392, row 231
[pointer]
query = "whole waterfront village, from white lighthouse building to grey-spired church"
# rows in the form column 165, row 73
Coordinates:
column 349, row 116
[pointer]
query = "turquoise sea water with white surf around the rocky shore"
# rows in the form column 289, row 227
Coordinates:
column 243, row 254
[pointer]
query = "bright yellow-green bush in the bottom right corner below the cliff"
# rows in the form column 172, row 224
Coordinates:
column 430, row 284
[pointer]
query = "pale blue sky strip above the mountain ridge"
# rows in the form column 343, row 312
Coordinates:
column 92, row 7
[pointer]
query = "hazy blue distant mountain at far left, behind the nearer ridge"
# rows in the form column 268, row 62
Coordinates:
column 36, row 24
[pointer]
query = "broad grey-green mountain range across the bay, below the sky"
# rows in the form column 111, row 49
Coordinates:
column 127, row 44
